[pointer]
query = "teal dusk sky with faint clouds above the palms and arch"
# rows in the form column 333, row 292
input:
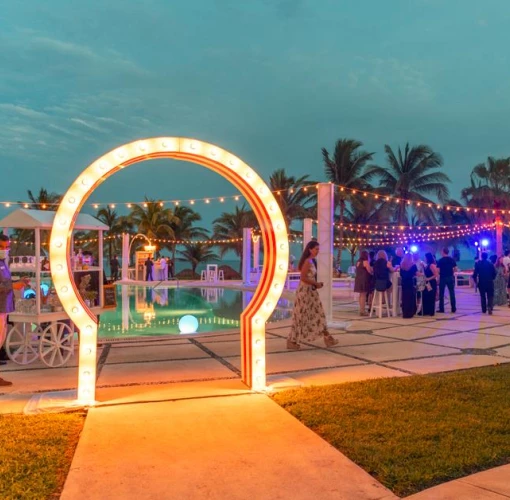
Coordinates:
column 273, row 81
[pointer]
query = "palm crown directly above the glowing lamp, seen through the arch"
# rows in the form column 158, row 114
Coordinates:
column 153, row 220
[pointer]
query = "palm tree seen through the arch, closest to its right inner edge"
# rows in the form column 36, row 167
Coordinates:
column 230, row 226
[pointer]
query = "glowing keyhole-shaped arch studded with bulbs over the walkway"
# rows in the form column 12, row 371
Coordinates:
column 232, row 168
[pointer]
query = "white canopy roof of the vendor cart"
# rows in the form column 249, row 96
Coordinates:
column 43, row 219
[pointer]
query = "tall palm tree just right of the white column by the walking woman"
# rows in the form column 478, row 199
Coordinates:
column 347, row 168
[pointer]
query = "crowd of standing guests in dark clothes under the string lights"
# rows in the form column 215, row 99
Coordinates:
column 424, row 282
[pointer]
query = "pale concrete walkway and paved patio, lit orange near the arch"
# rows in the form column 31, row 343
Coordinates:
column 174, row 421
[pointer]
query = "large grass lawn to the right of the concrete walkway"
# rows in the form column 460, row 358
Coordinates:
column 414, row 432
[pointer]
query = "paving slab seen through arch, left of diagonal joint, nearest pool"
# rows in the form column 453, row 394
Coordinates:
column 154, row 353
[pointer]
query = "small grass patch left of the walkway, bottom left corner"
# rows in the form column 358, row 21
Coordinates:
column 36, row 453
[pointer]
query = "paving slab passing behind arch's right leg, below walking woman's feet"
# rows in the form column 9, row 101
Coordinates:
column 301, row 360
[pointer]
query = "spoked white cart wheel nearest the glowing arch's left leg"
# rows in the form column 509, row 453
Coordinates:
column 57, row 344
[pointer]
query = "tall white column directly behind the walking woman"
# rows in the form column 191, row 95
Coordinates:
column 325, row 239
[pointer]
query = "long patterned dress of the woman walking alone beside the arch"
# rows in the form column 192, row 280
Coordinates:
column 308, row 317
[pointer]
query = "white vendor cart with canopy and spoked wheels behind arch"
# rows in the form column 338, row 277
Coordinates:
column 39, row 328
